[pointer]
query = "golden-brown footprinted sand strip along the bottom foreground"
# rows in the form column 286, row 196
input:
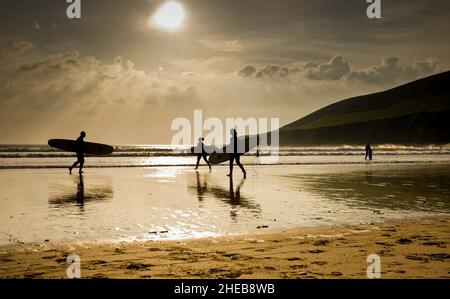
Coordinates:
column 413, row 248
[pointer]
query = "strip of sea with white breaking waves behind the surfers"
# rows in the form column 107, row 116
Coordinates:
column 43, row 156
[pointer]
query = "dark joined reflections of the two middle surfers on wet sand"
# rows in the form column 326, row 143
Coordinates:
column 231, row 196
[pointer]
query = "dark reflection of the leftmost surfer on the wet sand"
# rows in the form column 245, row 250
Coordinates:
column 80, row 195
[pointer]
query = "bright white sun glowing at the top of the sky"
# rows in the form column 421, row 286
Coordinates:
column 170, row 15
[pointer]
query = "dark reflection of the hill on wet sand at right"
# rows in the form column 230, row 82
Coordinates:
column 394, row 189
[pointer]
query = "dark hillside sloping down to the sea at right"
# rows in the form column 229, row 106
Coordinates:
column 416, row 113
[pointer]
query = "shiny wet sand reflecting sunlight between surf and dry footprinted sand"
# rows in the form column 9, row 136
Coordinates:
column 128, row 204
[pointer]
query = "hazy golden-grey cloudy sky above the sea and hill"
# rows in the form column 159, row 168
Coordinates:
column 123, row 79
